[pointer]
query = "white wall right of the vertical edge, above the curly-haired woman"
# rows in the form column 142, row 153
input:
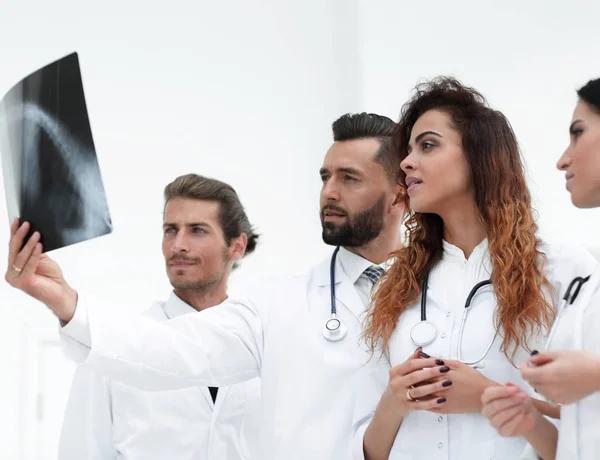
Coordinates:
column 526, row 57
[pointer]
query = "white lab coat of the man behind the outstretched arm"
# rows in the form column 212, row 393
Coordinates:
column 107, row 420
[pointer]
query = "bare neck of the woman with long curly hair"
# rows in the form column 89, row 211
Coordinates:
column 463, row 227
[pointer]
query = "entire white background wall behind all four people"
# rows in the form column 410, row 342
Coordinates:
column 246, row 91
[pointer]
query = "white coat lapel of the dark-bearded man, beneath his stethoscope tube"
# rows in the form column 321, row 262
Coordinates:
column 345, row 292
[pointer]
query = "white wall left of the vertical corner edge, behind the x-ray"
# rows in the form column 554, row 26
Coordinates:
column 244, row 91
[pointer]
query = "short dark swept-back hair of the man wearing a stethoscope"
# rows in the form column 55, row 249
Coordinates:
column 370, row 125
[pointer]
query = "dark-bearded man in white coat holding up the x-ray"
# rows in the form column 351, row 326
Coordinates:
column 299, row 334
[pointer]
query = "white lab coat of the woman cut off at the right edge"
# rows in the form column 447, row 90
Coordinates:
column 578, row 328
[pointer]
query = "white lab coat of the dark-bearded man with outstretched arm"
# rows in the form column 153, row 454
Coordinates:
column 275, row 331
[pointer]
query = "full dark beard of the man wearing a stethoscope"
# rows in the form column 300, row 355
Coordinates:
column 358, row 230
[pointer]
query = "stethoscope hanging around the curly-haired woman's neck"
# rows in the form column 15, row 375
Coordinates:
column 424, row 332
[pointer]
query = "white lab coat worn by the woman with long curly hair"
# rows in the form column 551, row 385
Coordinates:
column 431, row 436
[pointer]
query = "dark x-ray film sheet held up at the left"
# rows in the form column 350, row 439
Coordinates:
column 49, row 164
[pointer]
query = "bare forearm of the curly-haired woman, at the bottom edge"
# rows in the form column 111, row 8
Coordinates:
column 381, row 432
